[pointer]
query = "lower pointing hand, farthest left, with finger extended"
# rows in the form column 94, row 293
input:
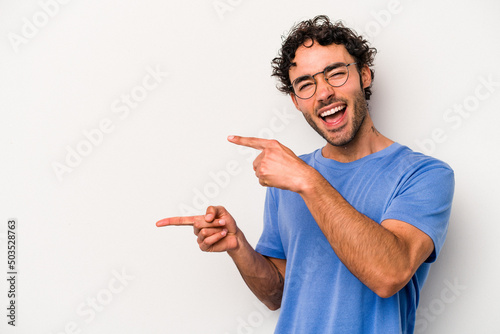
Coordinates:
column 216, row 230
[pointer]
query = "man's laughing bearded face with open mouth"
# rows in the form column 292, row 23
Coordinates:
column 336, row 113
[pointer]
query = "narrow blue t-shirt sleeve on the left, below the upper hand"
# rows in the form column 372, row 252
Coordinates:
column 270, row 241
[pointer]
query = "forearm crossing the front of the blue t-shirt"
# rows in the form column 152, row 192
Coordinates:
column 371, row 252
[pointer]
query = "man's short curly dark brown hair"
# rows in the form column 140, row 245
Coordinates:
column 321, row 30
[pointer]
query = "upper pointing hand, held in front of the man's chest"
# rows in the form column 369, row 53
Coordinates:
column 276, row 166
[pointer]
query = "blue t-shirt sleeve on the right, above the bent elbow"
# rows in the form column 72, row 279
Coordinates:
column 424, row 201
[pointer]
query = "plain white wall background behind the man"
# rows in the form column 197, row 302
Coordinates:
column 78, row 231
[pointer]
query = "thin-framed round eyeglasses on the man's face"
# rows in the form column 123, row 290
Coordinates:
column 335, row 75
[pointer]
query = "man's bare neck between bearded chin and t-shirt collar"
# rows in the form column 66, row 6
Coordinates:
column 367, row 141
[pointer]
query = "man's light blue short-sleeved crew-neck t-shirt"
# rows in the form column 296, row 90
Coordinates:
column 320, row 294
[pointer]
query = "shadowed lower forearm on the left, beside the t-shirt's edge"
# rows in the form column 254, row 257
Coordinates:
column 260, row 274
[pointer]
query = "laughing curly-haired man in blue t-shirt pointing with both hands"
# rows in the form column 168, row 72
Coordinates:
column 350, row 230
